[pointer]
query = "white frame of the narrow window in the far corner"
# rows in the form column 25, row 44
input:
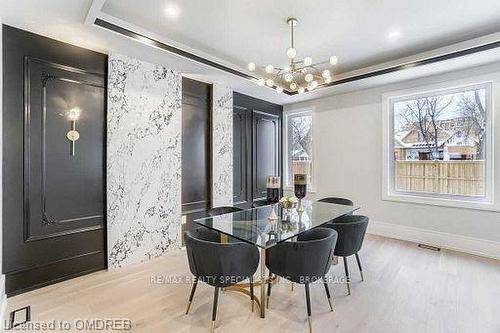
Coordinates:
column 286, row 115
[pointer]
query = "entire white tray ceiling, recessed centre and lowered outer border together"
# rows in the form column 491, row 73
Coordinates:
column 364, row 34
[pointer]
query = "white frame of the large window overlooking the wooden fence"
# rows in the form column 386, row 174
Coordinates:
column 388, row 191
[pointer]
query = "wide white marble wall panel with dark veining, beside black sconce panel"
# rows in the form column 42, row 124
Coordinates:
column 143, row 160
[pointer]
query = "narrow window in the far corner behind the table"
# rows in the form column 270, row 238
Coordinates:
column 299, row 148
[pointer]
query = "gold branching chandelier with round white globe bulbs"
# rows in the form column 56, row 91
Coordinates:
column 300, row 74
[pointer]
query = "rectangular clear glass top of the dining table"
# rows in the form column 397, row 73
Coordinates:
column 254, row 226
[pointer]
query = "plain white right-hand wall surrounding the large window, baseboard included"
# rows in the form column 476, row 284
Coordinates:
column 348, row 156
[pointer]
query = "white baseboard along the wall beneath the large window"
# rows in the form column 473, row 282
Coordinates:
column 476, row 246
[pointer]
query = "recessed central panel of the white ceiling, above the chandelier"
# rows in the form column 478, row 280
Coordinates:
column 357, row 31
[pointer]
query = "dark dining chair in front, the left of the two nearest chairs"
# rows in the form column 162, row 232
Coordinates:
column 219, row 264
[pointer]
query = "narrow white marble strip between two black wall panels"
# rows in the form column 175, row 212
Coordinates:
column 222, row 138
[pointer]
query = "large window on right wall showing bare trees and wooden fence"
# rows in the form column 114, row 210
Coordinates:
column 438, row 145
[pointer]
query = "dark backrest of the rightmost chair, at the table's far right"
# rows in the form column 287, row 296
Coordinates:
column 351, row 231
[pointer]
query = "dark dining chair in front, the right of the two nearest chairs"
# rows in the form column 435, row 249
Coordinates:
column 303, row 261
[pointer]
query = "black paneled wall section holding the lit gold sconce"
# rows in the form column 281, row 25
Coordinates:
column 54, row 196
